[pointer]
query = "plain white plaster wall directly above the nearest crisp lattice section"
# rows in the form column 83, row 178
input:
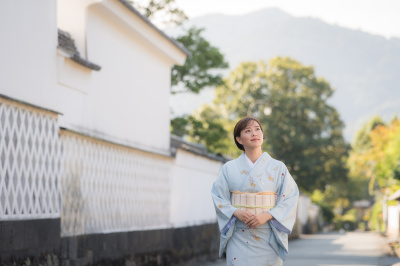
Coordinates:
column 28, row 31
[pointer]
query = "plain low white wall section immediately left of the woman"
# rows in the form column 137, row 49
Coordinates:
column 192, row 179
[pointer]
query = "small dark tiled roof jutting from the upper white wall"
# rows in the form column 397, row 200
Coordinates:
column 66, row 43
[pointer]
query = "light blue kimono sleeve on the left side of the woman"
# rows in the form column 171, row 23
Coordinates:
column 222, row 201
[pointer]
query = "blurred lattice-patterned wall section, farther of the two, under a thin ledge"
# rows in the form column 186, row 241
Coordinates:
column 108, row 188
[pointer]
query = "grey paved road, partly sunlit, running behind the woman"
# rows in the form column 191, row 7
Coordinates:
column 332, row 249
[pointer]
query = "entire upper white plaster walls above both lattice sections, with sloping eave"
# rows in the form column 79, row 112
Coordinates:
column 126, row 102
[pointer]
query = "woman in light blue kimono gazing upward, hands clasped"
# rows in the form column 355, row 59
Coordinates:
column 256, row 200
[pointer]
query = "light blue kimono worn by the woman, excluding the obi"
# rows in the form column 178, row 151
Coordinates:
column 268, row 243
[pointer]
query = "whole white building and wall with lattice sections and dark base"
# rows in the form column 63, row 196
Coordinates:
column 85, row 141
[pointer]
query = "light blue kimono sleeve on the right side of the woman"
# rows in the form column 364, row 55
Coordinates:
column 284, row 213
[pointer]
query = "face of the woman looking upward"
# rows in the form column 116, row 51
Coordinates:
column 251, row 136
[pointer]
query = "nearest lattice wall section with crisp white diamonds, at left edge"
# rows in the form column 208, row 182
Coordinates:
column 30, row 156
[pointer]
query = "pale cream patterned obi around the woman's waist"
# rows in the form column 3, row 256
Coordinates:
column 255, row 203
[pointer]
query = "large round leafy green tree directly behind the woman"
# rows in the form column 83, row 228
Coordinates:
column 301, row 128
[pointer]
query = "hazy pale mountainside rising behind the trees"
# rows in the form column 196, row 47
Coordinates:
column 363, row 68
